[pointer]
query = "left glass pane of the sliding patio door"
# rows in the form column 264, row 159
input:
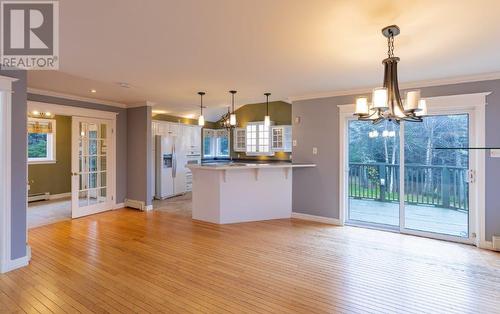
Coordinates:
column 373, row 181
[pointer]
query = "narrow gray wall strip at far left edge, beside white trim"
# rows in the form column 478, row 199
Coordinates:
column 19, row 157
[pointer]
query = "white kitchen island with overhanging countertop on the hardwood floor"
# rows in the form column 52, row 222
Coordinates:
column 242, row 192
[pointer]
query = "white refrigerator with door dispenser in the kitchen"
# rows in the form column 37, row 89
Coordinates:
column 170, row 166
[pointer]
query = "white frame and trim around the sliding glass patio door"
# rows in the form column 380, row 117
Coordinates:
column 465, row 103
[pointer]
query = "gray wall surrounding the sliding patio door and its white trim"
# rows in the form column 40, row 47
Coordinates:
column 316, row 191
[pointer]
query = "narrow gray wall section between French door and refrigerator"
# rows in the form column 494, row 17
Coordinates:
column 139, row 154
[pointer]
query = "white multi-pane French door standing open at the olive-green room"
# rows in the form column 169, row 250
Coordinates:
column 91, row 166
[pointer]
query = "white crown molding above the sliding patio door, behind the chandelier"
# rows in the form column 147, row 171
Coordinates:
column 407, row 85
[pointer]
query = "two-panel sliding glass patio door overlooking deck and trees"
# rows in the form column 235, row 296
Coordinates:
column 414, row 178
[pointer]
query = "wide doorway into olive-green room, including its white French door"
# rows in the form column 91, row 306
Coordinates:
column 85, row 180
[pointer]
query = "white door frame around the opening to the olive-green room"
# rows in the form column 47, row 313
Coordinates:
column 91, row 114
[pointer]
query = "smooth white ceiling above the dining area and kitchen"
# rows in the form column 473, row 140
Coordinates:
column 168, row 50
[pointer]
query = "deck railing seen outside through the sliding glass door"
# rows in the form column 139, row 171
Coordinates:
column 441, row 186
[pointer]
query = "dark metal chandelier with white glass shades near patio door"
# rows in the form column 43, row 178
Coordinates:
column 386, row 101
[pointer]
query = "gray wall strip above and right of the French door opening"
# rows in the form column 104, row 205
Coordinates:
column 121, row 136
